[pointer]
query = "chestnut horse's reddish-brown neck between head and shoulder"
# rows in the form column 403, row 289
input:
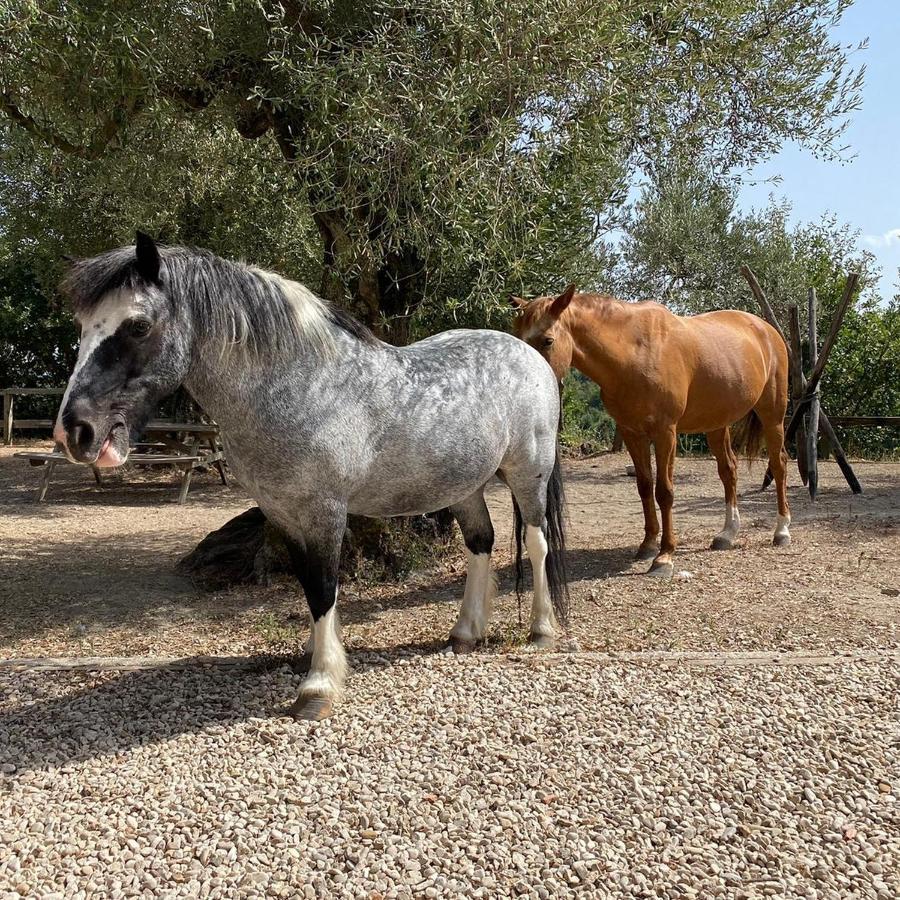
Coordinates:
column 598, row 337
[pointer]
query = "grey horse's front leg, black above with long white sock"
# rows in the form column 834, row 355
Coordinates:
column 315, row 554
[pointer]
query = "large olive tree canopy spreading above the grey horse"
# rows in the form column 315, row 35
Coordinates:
column 448, row 151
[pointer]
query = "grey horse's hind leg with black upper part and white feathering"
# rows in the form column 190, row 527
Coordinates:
column 481, row 586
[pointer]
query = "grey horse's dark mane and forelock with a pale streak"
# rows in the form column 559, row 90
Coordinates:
column 229, row 300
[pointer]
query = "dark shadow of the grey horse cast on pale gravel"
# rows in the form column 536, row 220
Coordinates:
column 102, row 714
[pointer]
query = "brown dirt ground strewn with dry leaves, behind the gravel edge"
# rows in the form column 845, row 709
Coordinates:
column 90, row 571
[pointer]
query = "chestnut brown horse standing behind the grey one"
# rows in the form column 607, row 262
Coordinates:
column 661, row 374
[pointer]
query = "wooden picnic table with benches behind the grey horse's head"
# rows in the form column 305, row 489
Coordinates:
column 185, row 445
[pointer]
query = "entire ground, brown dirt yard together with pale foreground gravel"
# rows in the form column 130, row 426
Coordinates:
column 499, row 774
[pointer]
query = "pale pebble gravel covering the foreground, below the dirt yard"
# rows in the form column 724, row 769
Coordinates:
column 490, row 775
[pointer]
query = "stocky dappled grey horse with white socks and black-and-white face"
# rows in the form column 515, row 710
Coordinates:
column 320, row 419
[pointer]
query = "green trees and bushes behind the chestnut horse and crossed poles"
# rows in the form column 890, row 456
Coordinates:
column 684, row 244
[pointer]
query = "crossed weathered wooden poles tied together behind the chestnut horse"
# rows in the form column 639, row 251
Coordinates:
column 807, row 393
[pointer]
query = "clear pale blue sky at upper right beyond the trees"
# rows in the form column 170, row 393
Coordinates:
column 863, row 191
